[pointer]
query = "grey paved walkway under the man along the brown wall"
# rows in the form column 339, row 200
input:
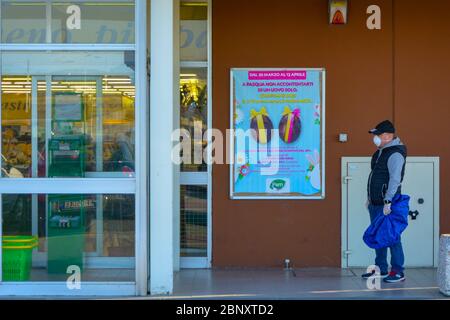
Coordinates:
column 308, row 283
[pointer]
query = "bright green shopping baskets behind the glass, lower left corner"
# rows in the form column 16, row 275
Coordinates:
column 17, row 256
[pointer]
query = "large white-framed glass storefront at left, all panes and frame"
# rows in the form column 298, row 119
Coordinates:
column 73, row 148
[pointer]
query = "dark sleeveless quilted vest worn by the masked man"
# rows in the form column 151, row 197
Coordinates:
column 379, row 177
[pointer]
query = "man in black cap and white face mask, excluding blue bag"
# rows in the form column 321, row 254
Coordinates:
column 388, row 170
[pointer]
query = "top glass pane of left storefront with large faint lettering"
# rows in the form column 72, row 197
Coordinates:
column 100, row 22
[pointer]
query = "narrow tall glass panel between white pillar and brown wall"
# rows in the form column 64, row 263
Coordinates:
column 195, row 119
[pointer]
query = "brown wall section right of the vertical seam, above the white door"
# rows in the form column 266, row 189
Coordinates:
column 422, row 85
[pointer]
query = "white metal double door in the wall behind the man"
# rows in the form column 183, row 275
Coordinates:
column 420, row 238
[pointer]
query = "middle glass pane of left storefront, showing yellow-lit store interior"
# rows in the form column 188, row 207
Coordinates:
column 42, row 113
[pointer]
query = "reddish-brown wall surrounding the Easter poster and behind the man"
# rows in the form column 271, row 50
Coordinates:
column 360, row 92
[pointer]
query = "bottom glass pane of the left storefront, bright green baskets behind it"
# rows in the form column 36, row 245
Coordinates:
column 62, row 230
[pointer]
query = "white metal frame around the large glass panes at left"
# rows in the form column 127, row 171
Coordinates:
column 96, row 185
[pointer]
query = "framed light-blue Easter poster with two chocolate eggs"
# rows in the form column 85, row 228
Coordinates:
column 277, row 120
